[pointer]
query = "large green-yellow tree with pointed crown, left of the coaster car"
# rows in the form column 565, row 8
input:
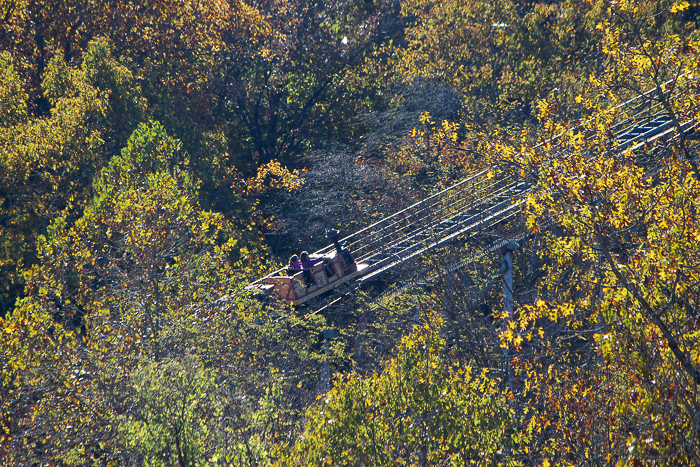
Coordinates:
column 147, row 283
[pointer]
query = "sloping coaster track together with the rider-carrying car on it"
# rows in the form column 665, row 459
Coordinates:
column 473, row 206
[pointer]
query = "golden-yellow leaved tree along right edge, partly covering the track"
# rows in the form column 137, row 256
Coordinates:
column 615, row 371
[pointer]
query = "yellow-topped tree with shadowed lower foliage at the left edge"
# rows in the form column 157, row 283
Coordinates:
column 47, row 162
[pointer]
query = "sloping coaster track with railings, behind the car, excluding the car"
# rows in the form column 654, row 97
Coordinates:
column 482, row 201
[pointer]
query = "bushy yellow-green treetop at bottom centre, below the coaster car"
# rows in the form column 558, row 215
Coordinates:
column 422, row 409
